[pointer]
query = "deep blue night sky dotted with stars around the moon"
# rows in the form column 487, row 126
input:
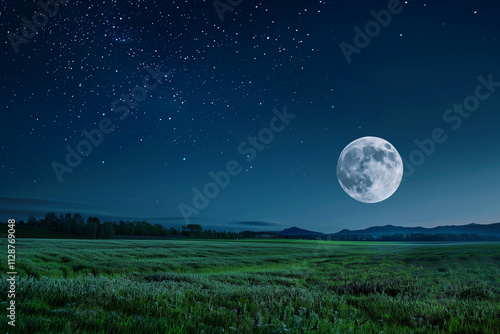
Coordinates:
column 217, row 75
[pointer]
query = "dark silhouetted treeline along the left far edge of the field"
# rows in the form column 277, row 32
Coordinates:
column 93, row 228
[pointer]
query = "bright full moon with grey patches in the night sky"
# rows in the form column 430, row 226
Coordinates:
column 370, row 169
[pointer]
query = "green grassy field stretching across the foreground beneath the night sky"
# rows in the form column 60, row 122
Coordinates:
column 253, row 286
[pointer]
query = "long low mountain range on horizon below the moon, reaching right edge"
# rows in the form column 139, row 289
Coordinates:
column 487, row 229
